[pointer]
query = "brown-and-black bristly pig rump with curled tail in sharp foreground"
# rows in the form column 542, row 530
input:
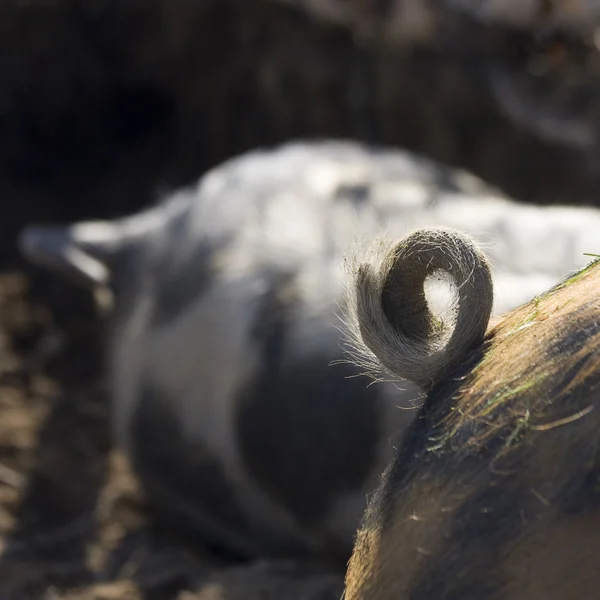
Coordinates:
column 494, row 492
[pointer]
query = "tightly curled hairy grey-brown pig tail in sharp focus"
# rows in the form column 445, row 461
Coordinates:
column 387, row 322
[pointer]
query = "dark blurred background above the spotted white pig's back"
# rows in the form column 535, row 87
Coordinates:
column 103, row 101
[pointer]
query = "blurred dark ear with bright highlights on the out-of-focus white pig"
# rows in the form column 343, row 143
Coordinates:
column 83, row 251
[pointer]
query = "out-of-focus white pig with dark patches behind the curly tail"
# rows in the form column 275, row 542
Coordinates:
column 224, row 328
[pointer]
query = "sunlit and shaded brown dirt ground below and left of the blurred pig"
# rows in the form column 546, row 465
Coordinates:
column 73, row 522
